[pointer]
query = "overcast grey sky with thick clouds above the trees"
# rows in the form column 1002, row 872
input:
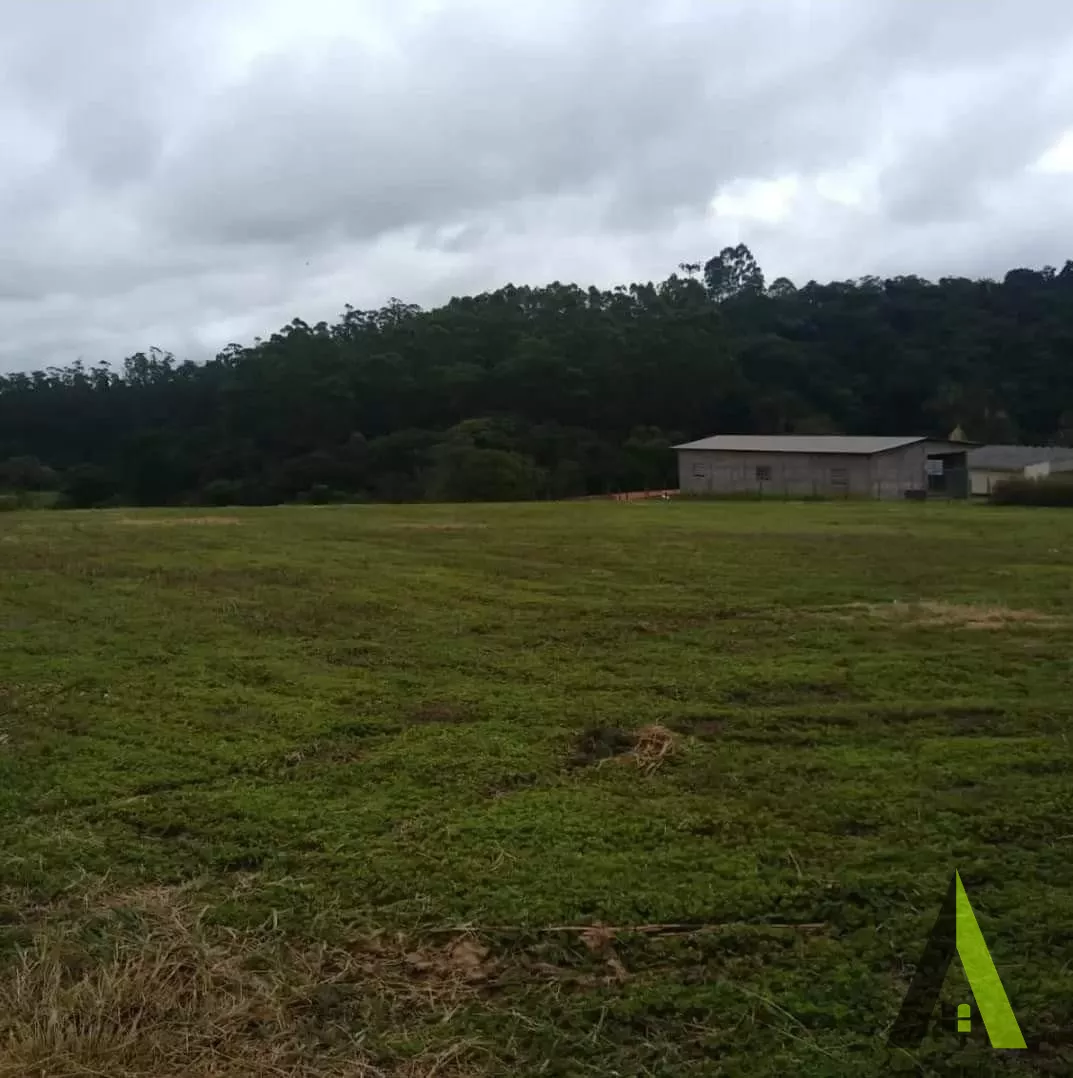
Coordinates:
column 190, row 173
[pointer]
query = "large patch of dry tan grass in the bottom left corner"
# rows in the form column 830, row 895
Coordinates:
column 168, row 997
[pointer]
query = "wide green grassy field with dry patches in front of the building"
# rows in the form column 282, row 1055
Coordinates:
column 581, row 790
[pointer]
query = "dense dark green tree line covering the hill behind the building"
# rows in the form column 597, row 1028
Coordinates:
column 551, row 392
